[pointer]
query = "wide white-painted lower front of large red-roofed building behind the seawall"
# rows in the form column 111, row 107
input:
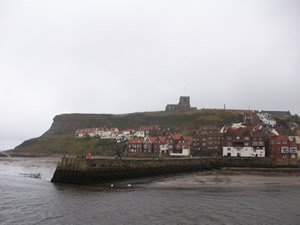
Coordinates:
column 243, row 151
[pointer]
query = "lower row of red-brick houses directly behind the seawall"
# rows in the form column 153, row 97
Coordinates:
column 234, row 141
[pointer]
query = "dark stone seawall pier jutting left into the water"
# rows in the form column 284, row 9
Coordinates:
column 91, row 171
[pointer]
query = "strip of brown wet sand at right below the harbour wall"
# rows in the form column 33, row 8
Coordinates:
column 234, row 176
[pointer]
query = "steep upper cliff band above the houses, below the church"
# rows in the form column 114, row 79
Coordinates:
column 67, row 124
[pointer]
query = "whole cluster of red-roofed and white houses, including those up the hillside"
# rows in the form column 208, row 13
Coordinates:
column 256, row 137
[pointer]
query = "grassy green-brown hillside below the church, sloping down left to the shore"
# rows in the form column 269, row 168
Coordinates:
column 59, row 139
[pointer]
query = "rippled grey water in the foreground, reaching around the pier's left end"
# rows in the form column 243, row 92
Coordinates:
column 28, row 197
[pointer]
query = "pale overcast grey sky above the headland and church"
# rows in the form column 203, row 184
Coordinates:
column 122, row 56
